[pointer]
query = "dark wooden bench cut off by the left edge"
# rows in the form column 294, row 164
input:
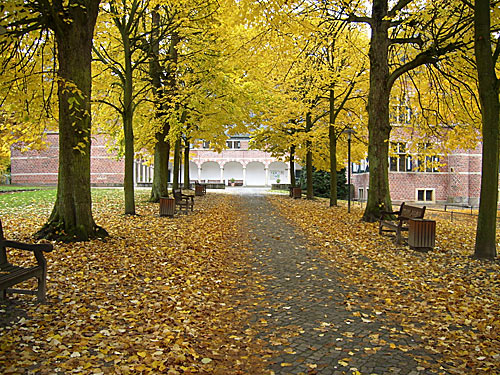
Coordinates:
column 11, row 275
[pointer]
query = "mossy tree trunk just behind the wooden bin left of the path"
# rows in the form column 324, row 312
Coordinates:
column 162, row 147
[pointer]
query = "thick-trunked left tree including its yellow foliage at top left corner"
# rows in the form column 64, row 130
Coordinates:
column 72, row 24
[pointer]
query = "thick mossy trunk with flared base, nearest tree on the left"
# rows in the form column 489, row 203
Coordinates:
column 71, row 218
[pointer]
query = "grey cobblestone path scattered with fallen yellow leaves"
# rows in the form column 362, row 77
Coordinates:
column 304, row 312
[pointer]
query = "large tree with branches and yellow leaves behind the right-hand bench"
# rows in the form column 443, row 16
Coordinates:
column 401, row 40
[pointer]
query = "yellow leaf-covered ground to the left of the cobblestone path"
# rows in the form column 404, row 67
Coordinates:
column 156, row 297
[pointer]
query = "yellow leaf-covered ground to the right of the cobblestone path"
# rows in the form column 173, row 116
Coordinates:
column 448, row 299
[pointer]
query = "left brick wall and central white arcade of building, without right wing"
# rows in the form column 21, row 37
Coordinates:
column 238, row 162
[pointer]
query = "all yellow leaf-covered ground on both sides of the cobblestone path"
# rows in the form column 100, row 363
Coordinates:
column 173, row 296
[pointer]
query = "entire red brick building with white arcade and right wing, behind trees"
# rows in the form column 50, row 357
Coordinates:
column 455, row 180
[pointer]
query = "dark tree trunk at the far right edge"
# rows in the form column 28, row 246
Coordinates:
column 490, row 109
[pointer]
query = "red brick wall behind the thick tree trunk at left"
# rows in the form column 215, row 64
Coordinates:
column 41, row 167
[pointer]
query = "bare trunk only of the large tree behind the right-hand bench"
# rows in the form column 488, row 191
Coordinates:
column 378, row 115
